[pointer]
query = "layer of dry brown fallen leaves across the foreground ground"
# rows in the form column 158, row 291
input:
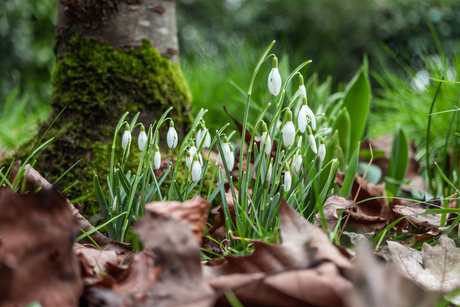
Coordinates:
column 306, row 269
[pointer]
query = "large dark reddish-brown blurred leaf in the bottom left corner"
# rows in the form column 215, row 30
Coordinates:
column 36, row 258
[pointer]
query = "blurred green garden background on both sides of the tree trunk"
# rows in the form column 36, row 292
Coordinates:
column 220, row 41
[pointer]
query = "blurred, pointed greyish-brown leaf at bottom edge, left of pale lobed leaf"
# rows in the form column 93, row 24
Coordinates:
column 379, row 285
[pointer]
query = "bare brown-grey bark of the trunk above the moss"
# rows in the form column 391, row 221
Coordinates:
column 121, row 23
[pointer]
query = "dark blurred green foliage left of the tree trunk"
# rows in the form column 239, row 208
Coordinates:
column 27, row 38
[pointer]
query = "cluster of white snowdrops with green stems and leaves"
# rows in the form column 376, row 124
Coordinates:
column 267, row 173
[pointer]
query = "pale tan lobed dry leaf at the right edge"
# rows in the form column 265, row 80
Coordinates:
column 441, row 265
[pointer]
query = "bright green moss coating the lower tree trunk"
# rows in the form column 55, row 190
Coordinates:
column 96, row 84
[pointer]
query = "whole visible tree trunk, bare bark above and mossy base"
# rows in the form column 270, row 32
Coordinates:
column 113, row 56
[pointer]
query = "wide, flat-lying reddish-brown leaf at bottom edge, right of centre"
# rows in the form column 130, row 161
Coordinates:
column 319, row 286
